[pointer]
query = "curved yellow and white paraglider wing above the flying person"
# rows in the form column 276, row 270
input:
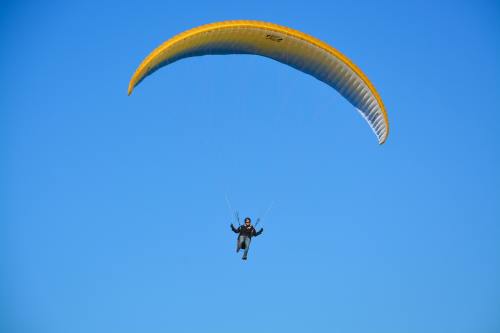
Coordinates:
column 288, row 46
